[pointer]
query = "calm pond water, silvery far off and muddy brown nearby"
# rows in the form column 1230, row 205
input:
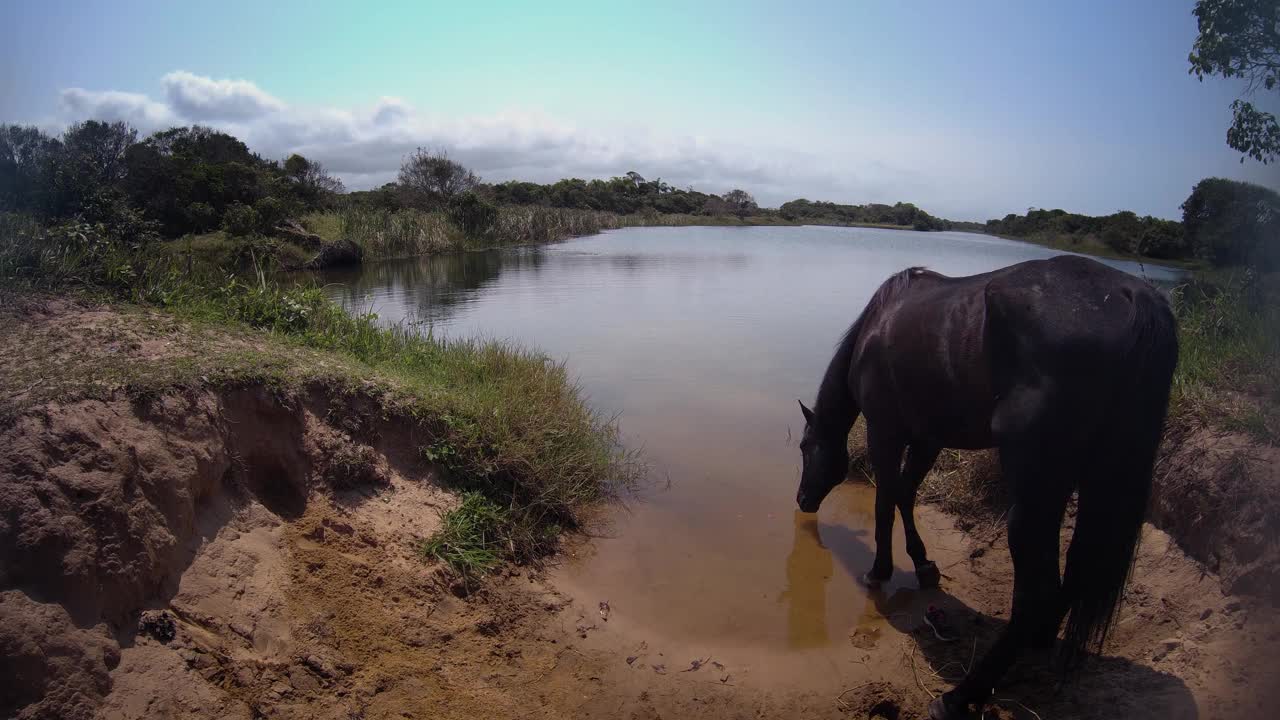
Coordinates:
column 701, row 340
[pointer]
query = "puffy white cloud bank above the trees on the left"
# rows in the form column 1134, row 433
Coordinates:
column 367, row 145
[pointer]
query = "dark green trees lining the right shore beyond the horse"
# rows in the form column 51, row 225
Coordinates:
column 1224, row 224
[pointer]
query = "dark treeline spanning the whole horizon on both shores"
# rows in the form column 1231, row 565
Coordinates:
column 195, row 180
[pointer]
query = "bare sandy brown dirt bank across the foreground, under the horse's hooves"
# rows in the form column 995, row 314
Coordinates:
column 241, row 553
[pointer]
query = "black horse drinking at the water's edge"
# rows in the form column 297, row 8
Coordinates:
column 1062, row 364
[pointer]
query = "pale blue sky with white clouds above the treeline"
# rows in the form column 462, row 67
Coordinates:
column 971, row 111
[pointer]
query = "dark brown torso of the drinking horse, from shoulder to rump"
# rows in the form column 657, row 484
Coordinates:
column 966, row 361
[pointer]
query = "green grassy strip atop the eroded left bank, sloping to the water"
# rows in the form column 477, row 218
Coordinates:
column 508, row 423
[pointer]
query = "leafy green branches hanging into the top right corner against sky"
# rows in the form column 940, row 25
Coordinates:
column 1241, row 39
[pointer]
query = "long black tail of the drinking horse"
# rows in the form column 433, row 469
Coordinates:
column 1113, row 499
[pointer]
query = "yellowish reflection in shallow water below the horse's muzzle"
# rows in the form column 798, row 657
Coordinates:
column 810, row 568
